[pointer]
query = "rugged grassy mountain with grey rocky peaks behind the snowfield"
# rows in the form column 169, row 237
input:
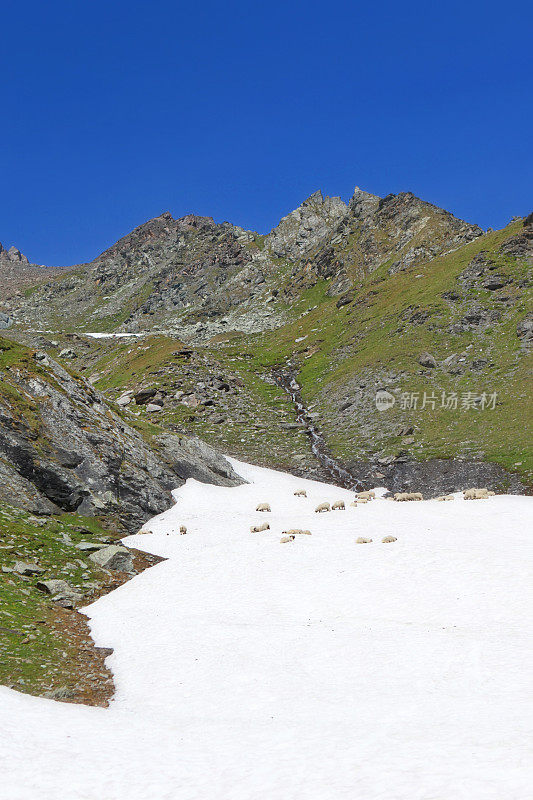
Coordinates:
column 378, row 295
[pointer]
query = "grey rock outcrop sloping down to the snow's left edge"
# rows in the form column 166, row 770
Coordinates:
column 63, row 448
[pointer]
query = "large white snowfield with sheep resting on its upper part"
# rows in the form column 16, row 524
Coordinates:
column 320, row 669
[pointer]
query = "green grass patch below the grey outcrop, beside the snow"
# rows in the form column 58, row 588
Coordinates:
column 37, row 650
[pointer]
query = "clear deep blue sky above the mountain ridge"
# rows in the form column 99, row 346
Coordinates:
column 115, row 111
